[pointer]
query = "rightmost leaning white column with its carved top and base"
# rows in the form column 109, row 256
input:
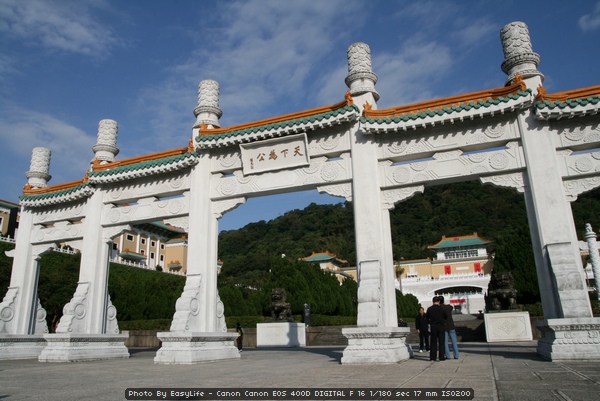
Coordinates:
column 569, row 331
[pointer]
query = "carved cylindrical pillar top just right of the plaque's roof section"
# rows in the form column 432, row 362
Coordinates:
column 361, row 78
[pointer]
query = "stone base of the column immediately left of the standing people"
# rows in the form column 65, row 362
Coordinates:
column 376, row 345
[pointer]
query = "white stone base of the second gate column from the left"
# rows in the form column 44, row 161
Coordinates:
column 83, row 347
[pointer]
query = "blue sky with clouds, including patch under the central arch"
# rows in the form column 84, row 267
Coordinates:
column 65, row 65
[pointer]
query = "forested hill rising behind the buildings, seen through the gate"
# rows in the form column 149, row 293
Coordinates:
column 496, row 214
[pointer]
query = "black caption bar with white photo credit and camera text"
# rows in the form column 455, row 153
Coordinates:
column 299, row 393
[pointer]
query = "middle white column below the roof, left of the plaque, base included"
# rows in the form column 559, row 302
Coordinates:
column 198, row 332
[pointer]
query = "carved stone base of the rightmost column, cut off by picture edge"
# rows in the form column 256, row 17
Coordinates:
column 569, row 339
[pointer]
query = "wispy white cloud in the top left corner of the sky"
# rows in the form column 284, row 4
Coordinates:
column 57, row 25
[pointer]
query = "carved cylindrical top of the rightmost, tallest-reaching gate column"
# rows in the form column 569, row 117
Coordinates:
column 519, row 57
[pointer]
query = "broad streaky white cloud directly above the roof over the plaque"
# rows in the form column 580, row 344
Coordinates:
column 264, row 54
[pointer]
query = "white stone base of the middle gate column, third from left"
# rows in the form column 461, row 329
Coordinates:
column 190, row 348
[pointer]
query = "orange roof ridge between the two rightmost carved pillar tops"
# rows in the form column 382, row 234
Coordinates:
column 431, row 105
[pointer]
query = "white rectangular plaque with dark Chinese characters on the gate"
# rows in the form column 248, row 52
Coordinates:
column 275, row 154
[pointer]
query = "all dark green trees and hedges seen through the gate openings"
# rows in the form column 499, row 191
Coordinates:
column 253, row 264
